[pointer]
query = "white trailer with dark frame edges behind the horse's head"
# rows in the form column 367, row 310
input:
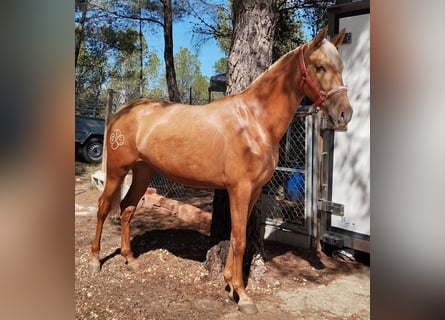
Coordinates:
column 346, row 155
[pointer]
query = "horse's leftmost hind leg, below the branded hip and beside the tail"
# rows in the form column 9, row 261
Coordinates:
column 106, row 201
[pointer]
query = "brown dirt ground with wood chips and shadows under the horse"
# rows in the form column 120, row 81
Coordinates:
column 172, row 282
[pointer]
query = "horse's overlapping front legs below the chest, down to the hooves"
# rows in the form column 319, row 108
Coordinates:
column 240, row 197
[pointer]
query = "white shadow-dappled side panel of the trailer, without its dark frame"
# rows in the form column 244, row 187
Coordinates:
column 351, row 175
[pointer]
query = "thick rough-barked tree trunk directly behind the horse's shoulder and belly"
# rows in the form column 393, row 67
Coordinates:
column 250, row 55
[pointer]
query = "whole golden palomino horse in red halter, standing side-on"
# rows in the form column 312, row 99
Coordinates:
column 230, row 143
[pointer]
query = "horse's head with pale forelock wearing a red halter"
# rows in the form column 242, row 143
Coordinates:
column 322, row 79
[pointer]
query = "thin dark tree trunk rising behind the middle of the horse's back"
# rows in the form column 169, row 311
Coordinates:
column 173, row 91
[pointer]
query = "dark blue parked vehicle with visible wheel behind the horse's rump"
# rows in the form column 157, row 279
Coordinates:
column 89, row 138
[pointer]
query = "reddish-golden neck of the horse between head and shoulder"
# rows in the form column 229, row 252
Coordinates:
column 275, row 95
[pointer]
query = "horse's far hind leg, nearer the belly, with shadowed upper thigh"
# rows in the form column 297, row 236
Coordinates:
column 142, row 175
